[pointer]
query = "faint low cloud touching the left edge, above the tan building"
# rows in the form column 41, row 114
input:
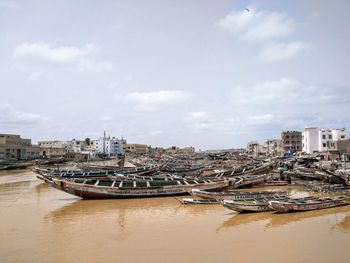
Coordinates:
column 10, row 116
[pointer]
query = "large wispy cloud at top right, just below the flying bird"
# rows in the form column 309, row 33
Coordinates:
column 257, row 25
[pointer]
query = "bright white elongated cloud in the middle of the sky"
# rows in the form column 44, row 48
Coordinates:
column 151, row 101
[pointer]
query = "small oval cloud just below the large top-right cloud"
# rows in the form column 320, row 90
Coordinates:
column 282, row 51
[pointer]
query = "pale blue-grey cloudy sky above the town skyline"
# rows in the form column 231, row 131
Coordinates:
column 213, row 74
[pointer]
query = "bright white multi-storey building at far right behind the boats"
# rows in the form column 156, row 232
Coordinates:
column 315, row 139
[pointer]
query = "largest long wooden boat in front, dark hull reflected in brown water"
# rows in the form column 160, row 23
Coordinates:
column 104, row 189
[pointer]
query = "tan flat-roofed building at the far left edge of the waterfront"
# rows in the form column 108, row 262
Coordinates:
column 13, row 146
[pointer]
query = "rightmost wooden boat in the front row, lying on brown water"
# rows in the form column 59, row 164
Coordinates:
column 310, row 204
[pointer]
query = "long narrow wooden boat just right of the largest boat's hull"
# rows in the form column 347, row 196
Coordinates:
column 236, row 195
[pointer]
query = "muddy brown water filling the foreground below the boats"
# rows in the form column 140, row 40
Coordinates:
column 42, row 224
